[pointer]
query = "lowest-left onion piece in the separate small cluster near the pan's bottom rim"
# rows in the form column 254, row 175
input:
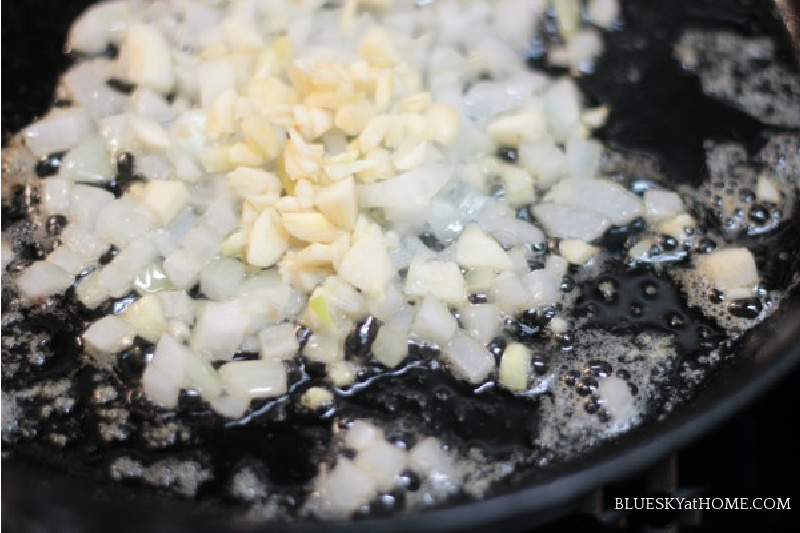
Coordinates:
column 344, row 488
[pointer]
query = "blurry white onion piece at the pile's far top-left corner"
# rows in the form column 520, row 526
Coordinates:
column 97, row 26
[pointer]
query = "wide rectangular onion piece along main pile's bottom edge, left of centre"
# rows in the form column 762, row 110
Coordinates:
column 254, row 379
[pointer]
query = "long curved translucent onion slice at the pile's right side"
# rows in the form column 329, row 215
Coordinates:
column 607, row 198
